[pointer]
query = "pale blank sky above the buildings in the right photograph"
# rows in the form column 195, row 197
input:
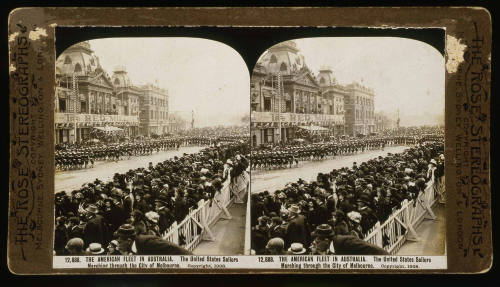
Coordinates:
column 404, row 73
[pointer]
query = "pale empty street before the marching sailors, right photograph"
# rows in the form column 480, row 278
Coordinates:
column 272, row 180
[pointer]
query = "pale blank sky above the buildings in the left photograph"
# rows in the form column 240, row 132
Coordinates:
column 202, row 75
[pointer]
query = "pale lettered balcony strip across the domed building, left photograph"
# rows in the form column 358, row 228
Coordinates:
column 95, row 119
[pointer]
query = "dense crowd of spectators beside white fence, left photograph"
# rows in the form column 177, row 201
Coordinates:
column 149, row 199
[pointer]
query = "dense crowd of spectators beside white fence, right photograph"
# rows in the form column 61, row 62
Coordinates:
column 333, row 214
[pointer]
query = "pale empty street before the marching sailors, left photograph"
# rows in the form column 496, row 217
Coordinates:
column 104, row 170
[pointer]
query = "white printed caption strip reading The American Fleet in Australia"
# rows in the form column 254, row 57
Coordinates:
column 299, row 262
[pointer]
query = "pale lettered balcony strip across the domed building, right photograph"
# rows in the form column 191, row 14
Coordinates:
column 296, row 119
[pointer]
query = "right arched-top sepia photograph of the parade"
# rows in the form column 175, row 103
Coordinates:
column 347, row 137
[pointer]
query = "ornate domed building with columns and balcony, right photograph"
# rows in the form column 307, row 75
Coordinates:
column 285, row 97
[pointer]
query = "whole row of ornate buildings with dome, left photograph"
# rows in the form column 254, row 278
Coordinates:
column 87, row 98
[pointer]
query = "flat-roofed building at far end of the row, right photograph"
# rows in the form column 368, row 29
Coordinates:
column 359, row 107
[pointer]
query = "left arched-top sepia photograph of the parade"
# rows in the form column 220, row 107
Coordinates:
column 151, row 148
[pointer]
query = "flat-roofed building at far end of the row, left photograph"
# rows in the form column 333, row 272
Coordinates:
column 154, row 110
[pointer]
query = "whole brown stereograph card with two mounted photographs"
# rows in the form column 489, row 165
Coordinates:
column 249, row 140
